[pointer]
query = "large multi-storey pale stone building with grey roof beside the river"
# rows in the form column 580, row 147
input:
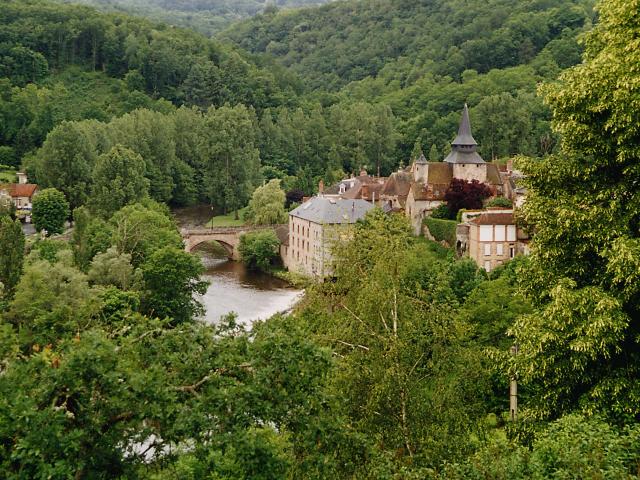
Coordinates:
column 315, row 227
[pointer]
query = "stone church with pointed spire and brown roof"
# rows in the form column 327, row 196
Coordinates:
column 430, row 180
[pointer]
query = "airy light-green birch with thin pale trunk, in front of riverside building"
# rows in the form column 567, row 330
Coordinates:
column 402, row 367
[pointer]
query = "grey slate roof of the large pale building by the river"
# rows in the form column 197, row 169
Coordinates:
column 325, row 210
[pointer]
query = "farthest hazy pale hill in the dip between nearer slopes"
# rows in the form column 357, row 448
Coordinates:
column 206, row 16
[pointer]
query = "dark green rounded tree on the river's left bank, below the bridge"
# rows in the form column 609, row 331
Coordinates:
column 171, row 281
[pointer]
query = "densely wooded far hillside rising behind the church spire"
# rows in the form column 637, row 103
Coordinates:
column 350, row 40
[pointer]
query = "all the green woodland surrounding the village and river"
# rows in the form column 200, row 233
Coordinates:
column 399, row 366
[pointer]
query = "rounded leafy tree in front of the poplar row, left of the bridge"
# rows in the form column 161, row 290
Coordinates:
column 118, row 180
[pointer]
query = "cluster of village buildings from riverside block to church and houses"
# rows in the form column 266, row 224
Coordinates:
column 489, row 235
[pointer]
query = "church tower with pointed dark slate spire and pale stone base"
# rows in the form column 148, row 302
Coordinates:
column 467, row 163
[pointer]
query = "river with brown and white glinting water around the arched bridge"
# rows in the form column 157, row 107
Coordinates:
column 232, row 288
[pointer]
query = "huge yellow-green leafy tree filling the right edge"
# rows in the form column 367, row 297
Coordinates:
column 579, row 348
